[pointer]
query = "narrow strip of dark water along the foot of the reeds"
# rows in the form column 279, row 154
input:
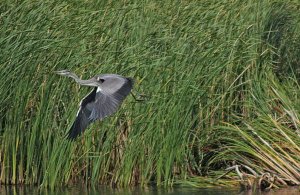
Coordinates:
column 17, row 190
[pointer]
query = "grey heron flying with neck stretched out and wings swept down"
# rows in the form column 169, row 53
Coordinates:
column 108, row 94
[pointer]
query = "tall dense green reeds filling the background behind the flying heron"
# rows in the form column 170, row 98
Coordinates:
column 222, row 81
